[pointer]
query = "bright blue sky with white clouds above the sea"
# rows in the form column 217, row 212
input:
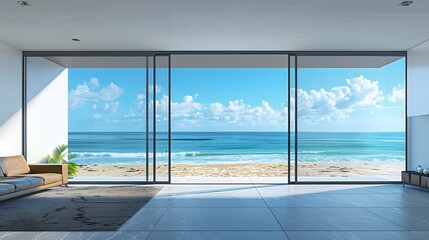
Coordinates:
column 240, row 99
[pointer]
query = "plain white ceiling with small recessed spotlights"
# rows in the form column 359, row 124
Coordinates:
column 146, row 25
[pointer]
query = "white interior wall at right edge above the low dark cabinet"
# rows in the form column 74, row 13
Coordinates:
column 418, row 106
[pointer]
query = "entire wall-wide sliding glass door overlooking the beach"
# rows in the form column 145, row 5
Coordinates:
column 230, row 117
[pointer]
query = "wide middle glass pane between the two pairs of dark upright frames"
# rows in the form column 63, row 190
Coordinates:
column 229, row 118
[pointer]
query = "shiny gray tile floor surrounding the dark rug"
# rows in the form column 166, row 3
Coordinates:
column 271, row 212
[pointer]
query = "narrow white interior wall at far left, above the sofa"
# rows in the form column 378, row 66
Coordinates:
column 10, row 100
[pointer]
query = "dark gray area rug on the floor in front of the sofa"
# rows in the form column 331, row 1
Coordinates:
column 76, row 208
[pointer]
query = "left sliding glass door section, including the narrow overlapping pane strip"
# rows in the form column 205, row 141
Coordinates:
column 111, row 112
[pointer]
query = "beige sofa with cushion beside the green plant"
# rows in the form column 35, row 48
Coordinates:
column 18, row 178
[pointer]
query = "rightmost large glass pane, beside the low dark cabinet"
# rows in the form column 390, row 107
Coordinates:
column 351, row 117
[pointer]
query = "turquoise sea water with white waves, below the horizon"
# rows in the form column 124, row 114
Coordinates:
column 231, row 147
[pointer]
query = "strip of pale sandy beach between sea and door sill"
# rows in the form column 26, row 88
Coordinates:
column 311, row 169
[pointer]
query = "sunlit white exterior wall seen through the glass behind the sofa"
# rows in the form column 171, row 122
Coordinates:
column 47, row 110
